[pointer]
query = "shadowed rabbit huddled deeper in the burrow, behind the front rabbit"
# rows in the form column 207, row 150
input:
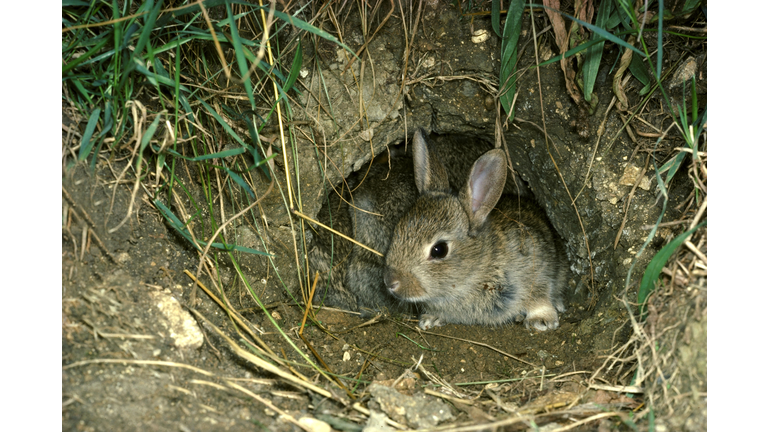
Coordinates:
column 368, row 214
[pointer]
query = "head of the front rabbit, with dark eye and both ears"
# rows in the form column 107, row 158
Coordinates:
column 439, row 247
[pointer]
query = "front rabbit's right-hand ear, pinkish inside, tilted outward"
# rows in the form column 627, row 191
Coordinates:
column 484, row 187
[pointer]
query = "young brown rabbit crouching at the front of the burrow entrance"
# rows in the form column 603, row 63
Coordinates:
column 475, row 257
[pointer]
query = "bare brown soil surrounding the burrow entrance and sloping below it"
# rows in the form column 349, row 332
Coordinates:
column 137, row 356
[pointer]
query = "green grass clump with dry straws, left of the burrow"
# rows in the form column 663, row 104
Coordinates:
column 154, row 83
